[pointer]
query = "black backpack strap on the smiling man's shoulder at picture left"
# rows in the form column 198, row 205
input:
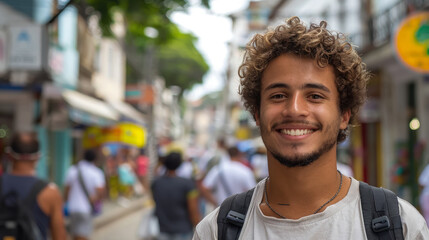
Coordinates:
column 232, row 213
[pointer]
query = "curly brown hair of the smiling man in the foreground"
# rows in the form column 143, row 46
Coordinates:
column 315, row 42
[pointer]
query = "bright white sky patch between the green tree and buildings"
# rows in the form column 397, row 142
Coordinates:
column 214, row 30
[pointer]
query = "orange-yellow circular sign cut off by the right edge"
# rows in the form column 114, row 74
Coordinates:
column 412, row 42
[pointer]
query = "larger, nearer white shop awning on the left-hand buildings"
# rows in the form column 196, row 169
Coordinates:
column 88, row 110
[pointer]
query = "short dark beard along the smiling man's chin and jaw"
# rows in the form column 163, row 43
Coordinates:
column 307, row 159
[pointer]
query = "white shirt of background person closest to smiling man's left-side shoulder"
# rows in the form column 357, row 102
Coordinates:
column 237, row 177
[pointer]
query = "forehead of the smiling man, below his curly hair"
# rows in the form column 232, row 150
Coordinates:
column 296, row 71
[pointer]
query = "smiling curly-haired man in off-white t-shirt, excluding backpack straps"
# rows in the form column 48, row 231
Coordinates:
column 304, row 87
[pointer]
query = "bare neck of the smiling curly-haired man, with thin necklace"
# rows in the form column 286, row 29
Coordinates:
column 304, row 188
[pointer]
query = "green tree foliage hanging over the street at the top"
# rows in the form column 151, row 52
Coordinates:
column 179, row 62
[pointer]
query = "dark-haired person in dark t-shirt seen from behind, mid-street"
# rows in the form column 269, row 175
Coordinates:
column 176, row 202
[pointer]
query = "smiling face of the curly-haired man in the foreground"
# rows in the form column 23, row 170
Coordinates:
column 299, row 117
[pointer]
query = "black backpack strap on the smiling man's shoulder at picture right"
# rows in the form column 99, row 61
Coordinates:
column 380, row 211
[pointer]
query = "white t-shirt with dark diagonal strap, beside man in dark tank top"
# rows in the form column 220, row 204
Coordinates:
column 93, row 178
